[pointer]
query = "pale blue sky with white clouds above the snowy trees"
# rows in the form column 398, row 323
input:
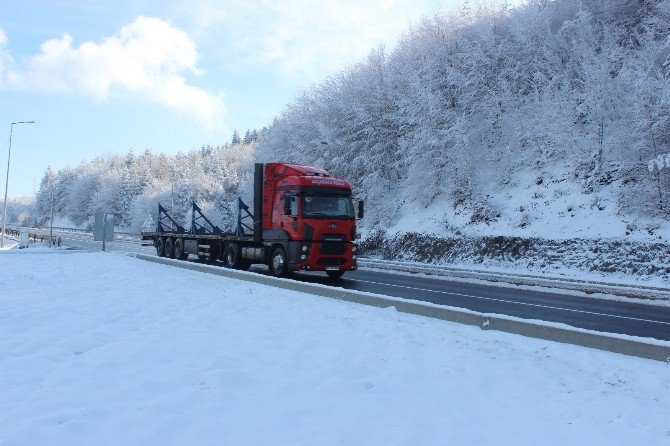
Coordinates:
column 106, row 77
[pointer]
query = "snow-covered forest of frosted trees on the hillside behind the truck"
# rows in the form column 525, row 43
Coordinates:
column 491, row 119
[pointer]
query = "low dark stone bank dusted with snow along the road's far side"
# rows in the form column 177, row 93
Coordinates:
column 617, row 260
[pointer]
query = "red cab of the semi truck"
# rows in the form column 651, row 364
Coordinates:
column 309, row 220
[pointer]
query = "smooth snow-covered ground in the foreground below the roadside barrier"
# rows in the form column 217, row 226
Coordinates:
column 99, row 348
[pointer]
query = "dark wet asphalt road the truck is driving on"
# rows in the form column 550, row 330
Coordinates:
column 611, row 316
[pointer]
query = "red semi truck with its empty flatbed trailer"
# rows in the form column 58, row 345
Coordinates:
column 303, row 220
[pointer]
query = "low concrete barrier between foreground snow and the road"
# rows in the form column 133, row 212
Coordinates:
column 659, row 351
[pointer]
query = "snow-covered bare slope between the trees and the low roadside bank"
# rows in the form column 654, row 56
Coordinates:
column 556, row 209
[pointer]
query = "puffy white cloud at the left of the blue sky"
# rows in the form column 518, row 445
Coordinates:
column 148, row 57
